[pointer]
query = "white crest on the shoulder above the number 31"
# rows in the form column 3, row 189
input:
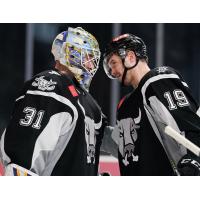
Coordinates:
column 43, row 84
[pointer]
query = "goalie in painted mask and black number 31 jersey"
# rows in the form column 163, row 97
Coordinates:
column 55, row 128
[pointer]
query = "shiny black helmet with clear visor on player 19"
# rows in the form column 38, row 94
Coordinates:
column 120, row 45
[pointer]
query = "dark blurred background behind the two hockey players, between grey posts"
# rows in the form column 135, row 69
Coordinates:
column 181, row 51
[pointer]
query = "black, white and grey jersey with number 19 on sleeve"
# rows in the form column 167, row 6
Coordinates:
column 143, row 148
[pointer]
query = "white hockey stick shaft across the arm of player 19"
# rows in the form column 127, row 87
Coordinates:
column 174, row 134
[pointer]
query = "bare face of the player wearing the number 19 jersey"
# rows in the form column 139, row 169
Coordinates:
column 116, row 66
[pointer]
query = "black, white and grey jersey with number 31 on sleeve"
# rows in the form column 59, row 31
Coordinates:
column 55, row 128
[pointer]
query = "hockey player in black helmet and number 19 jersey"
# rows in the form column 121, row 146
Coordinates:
column 143, row 147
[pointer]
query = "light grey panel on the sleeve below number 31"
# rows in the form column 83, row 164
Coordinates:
column 43, row 155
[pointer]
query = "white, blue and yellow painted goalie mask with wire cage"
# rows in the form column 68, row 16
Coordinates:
column 79, row 51
